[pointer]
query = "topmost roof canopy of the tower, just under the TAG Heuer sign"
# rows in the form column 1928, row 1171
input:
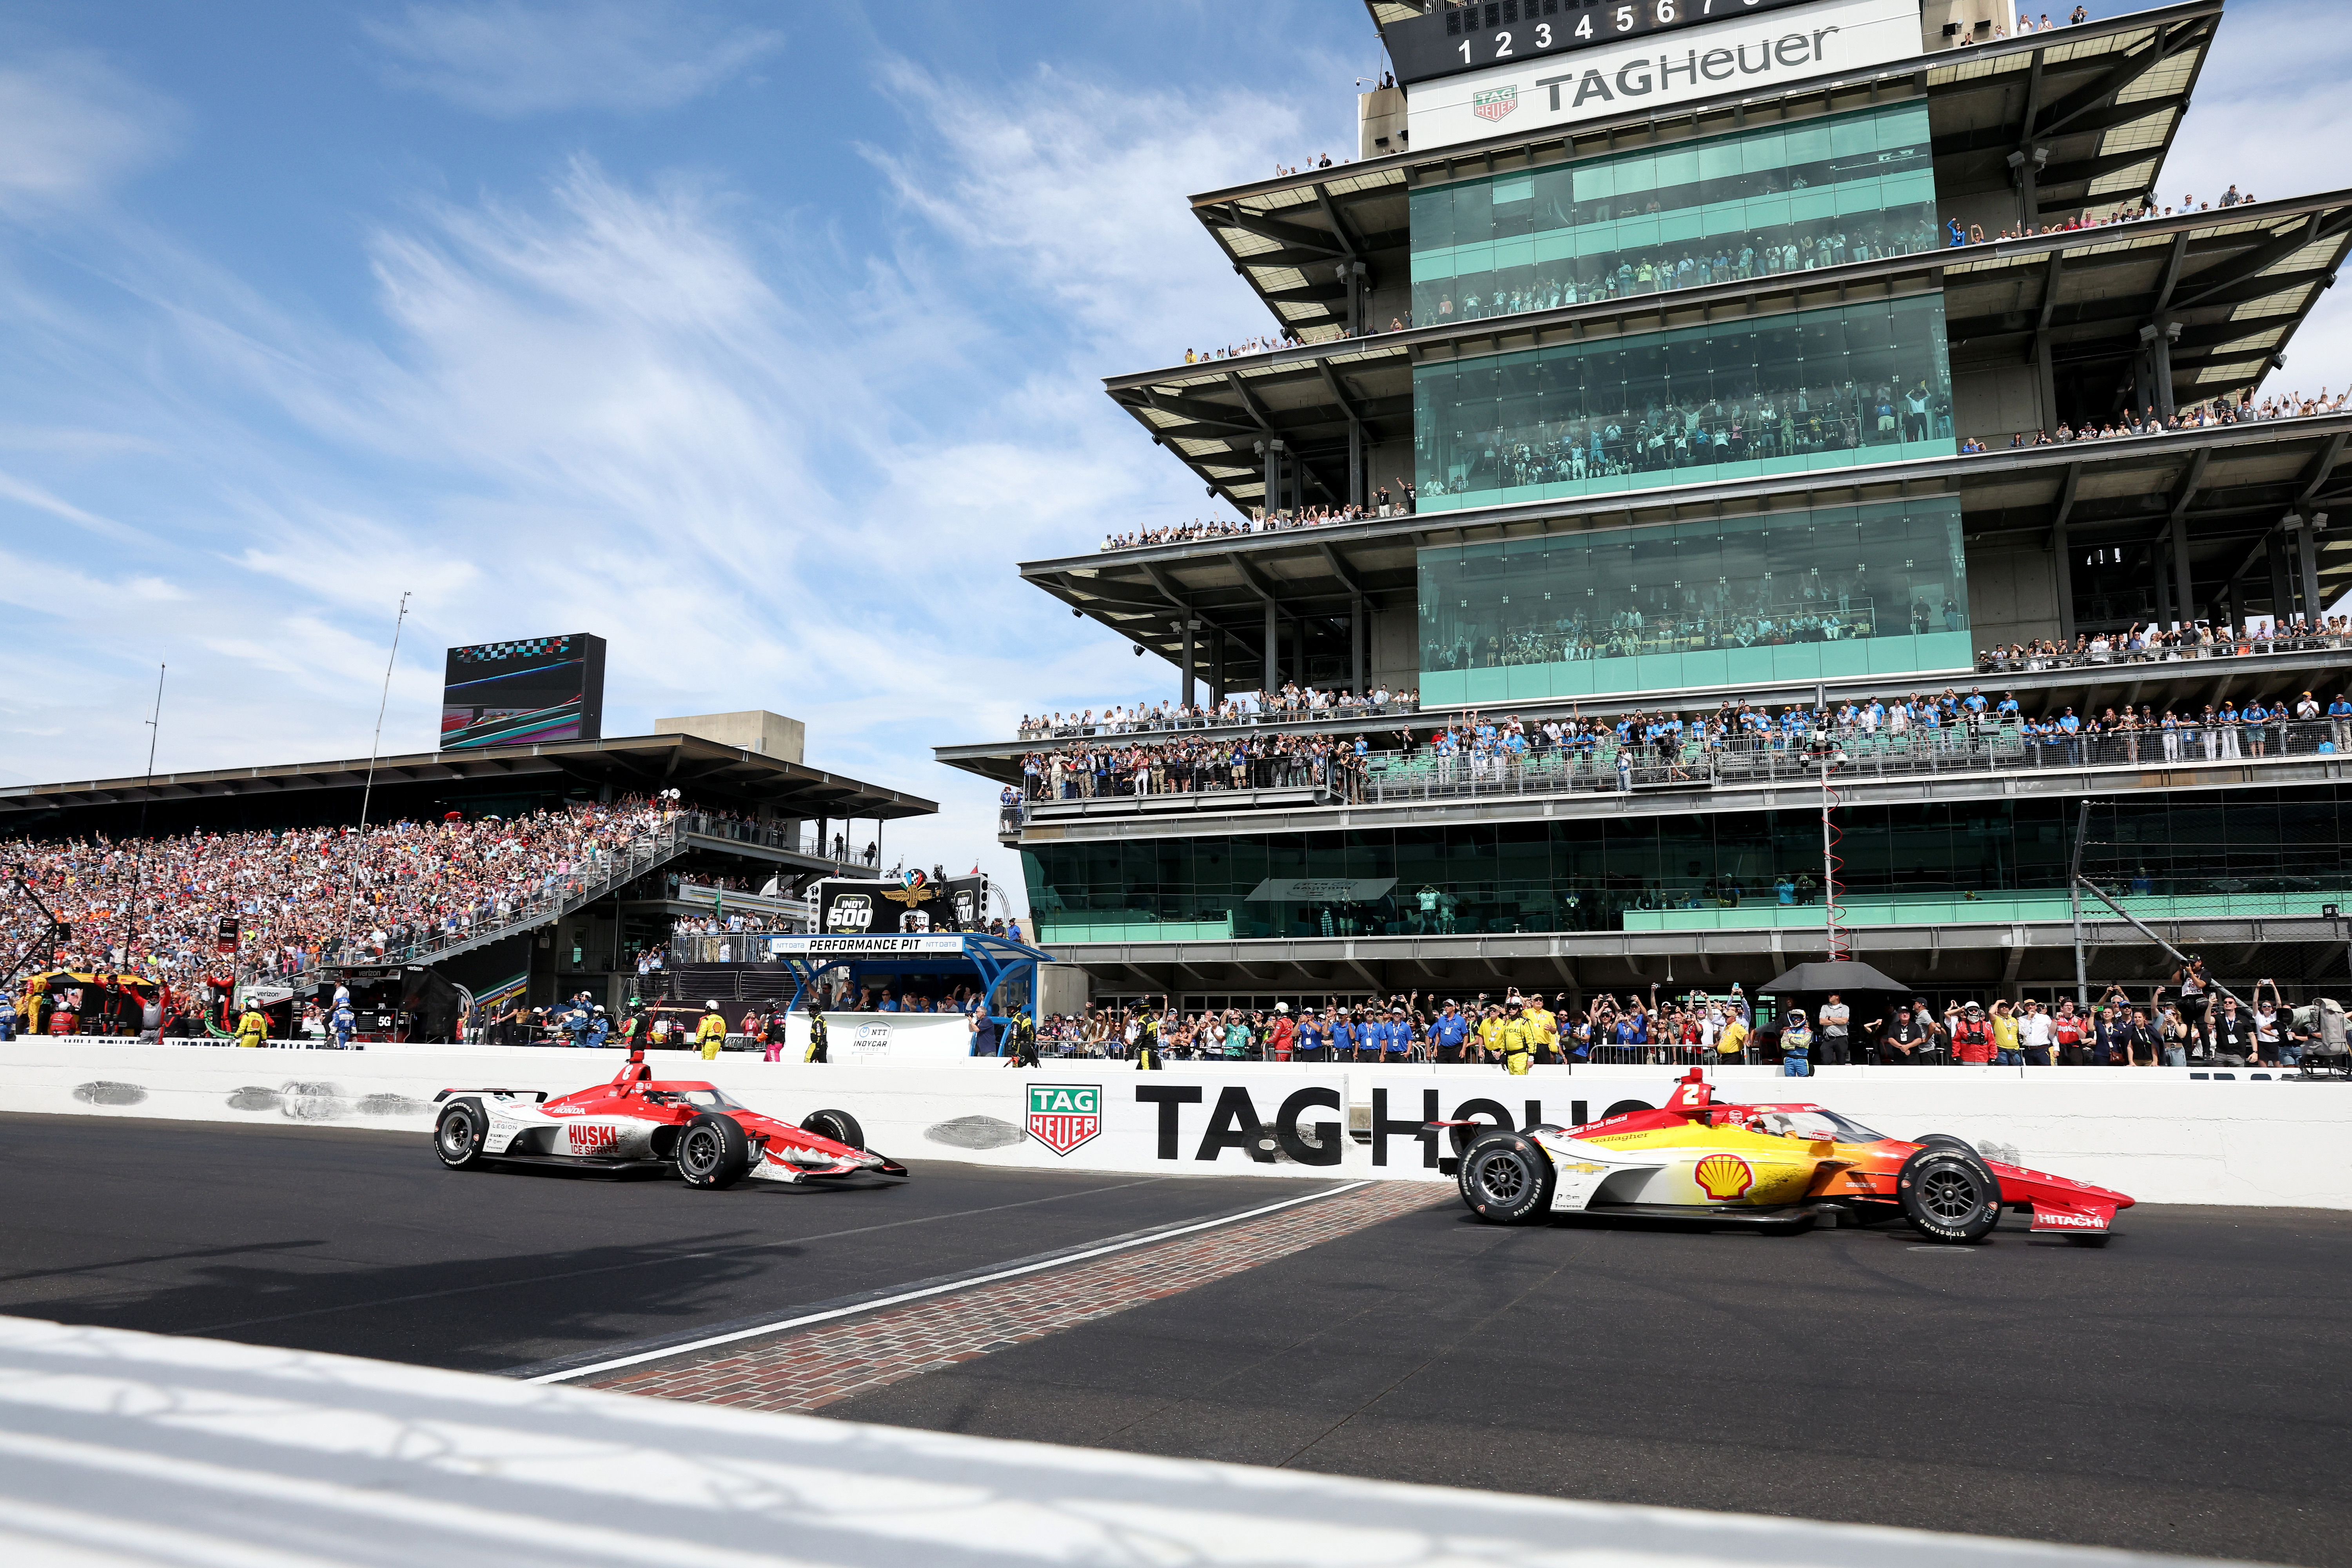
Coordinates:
column 2102, row 100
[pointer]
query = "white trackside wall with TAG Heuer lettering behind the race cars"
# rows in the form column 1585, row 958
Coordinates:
column 2151, row 1132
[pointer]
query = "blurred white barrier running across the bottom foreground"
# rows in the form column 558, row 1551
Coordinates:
column 147, row 1449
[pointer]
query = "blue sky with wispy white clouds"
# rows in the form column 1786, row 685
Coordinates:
column 759, row 340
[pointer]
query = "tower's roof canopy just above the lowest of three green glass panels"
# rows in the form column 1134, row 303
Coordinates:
column 2229, row 488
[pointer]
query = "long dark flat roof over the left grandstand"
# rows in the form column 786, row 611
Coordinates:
column 707, row 770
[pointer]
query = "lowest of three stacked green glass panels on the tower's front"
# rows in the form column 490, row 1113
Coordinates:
column 1742, row 601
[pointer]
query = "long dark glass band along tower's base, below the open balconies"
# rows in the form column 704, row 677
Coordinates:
column 1984, row 862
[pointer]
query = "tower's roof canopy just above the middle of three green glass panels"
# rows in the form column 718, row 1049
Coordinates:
column 2233, row 286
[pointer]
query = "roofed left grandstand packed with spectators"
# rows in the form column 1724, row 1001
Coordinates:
column 521, row 873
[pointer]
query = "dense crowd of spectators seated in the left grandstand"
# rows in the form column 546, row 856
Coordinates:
column 307, row 897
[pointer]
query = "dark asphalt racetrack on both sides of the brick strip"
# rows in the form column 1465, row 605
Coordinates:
column 2181, row 1391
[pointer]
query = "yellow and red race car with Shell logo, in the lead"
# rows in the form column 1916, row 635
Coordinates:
column 1779, row 1167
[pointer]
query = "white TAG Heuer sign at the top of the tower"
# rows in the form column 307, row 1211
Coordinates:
column 1746, row 55
